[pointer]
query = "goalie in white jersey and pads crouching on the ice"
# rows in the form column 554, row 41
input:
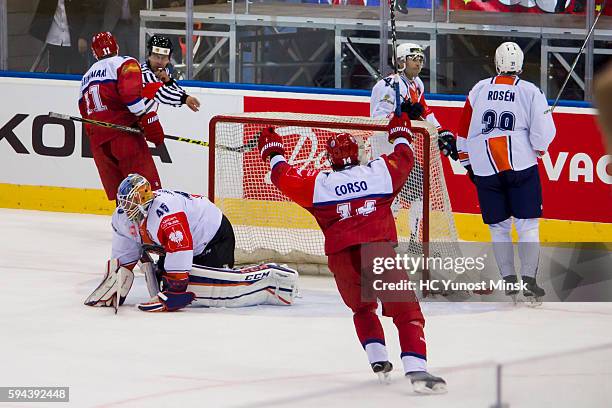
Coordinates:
column 197, row 245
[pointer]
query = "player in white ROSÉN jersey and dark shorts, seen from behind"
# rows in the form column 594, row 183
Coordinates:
column 505, row 127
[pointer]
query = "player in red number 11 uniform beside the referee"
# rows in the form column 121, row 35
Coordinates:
column 111, row 91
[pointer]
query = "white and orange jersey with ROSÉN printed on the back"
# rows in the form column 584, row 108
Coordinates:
column 504, row 125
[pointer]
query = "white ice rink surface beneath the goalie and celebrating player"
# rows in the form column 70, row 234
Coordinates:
column 306, row 355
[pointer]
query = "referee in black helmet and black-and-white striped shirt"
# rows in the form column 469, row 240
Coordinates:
column 159, row 87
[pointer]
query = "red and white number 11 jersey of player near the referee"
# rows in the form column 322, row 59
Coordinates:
column 111, row 91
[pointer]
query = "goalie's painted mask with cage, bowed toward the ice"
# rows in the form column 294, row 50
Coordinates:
column 135, row 196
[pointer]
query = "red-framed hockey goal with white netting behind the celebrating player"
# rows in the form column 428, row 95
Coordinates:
column 269, row 227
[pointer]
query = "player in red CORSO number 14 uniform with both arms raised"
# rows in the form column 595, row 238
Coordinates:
column 352, row 205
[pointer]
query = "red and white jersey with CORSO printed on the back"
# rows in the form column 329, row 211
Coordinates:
column 352, row 206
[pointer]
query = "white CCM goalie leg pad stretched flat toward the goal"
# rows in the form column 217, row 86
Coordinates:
column 256, row 285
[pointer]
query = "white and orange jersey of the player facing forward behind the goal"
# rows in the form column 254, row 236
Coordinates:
column 382, row 100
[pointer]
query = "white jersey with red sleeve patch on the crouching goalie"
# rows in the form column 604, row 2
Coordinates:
column 182, row 223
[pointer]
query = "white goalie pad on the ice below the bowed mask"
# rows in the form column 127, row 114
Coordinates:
column 103, row 295
